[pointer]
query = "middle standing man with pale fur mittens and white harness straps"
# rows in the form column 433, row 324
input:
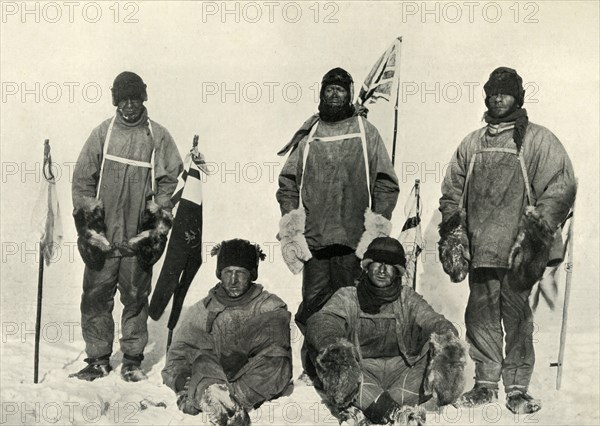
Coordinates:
column 337, row 191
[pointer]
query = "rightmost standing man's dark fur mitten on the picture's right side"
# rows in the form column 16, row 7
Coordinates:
column 531, row 251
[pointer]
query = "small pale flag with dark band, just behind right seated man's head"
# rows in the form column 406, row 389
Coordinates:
column 411, row 237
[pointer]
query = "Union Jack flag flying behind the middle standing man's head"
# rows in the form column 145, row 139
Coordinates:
column 382, row 80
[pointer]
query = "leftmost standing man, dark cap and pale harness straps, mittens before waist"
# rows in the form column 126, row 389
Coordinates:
column 122, row 186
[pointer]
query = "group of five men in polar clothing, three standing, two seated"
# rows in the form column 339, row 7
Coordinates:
column 376, row 351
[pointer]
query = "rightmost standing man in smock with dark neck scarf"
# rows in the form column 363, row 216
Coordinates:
column 509, row 187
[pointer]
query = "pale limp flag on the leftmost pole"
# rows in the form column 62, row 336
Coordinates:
column 46, row 218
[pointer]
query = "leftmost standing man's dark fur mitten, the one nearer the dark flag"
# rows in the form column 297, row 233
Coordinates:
column 150, row 243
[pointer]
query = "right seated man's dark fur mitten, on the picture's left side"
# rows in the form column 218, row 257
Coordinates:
column 340, row 373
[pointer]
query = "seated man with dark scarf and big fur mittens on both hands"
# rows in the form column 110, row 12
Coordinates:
column 381, row 350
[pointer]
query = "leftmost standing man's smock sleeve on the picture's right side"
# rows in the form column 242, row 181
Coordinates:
column 167, row 168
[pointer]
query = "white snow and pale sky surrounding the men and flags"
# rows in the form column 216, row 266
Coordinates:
column 245, row 87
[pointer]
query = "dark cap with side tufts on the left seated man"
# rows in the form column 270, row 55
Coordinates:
column 240, row 253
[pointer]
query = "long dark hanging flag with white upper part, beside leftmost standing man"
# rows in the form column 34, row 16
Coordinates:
column 184, row 252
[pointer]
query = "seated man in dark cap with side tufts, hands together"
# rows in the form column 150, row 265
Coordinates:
column 231, row 351
